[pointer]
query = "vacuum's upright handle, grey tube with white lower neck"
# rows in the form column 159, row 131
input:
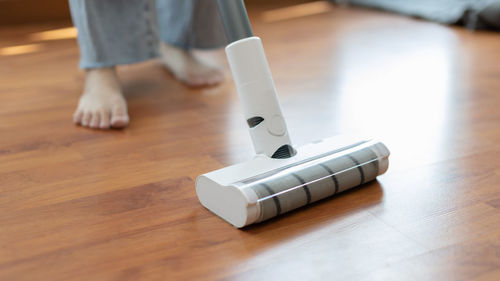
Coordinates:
column 254, row 83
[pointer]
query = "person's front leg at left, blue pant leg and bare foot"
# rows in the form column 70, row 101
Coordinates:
column 110, row 32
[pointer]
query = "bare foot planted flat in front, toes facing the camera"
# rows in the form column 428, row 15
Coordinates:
column 102, row 105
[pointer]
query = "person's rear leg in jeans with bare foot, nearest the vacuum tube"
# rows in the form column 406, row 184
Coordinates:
column 186, row 25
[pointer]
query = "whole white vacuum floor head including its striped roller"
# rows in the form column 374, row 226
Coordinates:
column 265, row 187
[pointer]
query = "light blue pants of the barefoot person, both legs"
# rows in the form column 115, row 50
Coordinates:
column 112, row 32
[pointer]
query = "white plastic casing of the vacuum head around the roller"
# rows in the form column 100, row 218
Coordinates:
column 220, row 191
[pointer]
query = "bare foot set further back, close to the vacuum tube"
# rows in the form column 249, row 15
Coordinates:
column 187, row 68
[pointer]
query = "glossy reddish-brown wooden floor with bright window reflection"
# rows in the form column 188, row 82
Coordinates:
column 79, row 204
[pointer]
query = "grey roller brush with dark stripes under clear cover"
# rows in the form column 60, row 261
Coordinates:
column 314, row 180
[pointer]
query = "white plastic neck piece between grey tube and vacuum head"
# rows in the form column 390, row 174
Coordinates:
column 257, row 93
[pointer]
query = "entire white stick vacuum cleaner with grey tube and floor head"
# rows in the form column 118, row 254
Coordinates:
column 281, row 177
